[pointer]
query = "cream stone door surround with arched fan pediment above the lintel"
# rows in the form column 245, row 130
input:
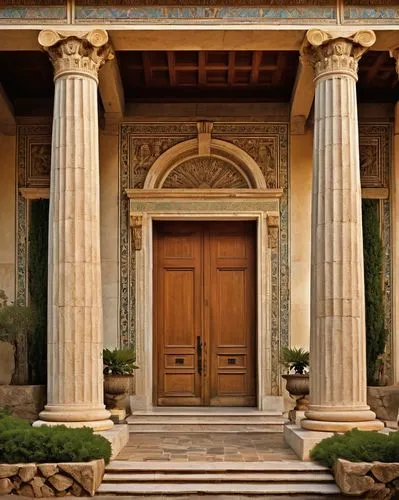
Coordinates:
column 204, row 179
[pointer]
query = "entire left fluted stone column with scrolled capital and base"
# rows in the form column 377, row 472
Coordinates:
column 75, row 316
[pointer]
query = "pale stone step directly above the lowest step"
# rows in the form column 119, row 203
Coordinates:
column 274, row 477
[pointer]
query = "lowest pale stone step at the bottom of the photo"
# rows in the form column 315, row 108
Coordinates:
column 192, row 488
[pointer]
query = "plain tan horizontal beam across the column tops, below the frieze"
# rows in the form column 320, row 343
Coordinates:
column 134, row 37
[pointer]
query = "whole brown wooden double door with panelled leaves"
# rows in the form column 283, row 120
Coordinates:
column 204, row 313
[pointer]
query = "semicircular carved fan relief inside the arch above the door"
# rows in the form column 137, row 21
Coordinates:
column 205, row 173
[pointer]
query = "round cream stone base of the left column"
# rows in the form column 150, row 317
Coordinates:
column 97, row 418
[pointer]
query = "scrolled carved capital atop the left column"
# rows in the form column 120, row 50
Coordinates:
column 77, row 53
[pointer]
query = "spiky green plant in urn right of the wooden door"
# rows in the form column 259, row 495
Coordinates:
column 296, row 360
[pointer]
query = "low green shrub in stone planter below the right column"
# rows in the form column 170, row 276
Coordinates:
column 357, row 446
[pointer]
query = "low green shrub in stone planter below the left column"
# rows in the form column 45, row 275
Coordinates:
column 19, row 442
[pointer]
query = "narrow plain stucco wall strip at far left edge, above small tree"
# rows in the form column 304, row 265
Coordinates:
column 7, row 215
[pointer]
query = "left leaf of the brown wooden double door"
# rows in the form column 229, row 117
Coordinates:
column 177, row 318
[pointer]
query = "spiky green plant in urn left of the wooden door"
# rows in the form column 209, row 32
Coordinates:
column 119, row 366
